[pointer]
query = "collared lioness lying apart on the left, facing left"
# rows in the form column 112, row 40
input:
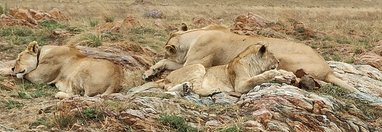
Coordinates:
column 70, row 71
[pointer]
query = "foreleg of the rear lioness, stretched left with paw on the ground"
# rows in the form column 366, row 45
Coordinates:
column 160, row 66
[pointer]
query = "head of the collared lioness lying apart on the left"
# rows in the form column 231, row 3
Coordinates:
column 27, row 60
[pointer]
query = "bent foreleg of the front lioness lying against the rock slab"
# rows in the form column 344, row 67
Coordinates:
column 243, row 85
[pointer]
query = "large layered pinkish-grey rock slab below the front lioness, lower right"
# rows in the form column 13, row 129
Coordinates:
column 288, row 108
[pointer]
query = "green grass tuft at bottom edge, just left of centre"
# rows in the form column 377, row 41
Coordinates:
column 176, row 122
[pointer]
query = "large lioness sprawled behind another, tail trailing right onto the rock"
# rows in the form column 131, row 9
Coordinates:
column 215, row 45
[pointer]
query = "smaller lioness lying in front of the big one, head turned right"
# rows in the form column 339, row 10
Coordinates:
column 253, row 66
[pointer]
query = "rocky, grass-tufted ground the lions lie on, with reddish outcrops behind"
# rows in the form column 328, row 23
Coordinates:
column 142, row 107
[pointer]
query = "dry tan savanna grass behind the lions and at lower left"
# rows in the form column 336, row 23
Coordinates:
column 349, row 28
